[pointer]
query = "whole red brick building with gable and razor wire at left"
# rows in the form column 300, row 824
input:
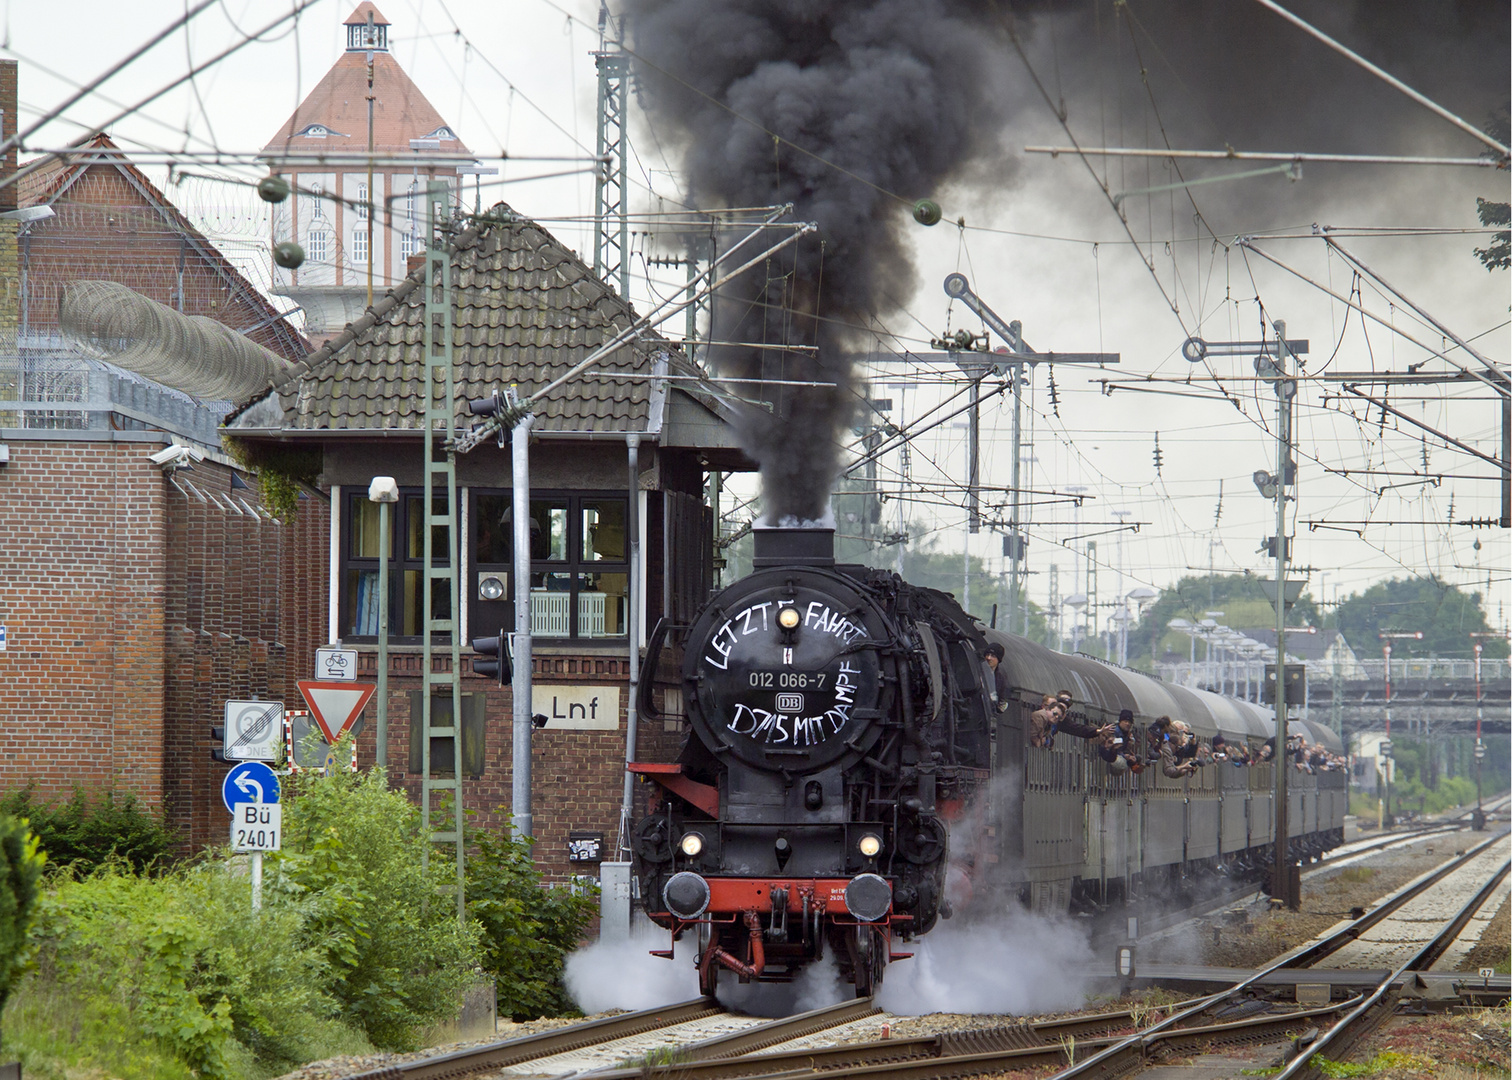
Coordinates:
column 135, row 595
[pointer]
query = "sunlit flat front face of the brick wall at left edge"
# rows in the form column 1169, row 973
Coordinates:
column 82, row 580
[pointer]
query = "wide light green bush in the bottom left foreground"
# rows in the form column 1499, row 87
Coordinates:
column 173, row 975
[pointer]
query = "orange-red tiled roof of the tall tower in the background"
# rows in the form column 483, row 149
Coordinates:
column 339, row 104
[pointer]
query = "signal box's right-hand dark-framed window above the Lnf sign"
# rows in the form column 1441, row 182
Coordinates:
column 580, row 565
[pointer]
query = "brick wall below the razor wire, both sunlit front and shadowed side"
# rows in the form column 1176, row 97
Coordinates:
column 134, row 610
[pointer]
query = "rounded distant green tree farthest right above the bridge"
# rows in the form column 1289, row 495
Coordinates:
column 1445, row 615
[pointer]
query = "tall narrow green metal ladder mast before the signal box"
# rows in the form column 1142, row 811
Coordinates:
column 441, row 414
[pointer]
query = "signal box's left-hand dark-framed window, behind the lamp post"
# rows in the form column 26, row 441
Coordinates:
column 359, row 580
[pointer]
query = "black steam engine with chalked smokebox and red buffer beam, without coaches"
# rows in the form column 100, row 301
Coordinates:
column 840, row 718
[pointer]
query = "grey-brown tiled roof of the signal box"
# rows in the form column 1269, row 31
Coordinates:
column 527, row 311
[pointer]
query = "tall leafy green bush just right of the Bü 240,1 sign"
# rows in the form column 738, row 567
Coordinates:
column 352, row 854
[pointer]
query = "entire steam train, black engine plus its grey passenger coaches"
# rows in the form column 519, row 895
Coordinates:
column 850, row 777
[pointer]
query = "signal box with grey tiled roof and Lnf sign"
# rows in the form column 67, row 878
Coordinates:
column 525, row 311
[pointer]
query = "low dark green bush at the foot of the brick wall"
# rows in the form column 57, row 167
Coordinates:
column 87, row 833
